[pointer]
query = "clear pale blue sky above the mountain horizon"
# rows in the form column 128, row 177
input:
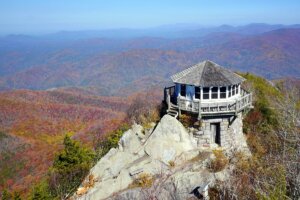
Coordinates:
column 45, row 16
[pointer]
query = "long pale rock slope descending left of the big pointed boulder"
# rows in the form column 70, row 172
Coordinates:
column 111, row 172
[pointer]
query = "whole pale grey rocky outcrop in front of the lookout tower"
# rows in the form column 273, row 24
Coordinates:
column 163, row 161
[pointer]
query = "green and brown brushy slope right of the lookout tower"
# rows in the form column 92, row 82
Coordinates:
column 272, row 129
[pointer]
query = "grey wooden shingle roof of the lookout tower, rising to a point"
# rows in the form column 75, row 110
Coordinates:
column 207, row 74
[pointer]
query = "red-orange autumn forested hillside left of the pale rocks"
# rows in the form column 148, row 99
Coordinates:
column 34, row 123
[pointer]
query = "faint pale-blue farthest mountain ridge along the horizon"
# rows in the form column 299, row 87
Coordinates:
column 167, row 31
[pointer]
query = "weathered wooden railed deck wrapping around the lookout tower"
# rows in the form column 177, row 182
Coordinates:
column 224, row 107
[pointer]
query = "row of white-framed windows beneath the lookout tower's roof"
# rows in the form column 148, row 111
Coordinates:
column 232, row 90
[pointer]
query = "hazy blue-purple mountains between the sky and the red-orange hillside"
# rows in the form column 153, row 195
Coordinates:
column 120, row 66
